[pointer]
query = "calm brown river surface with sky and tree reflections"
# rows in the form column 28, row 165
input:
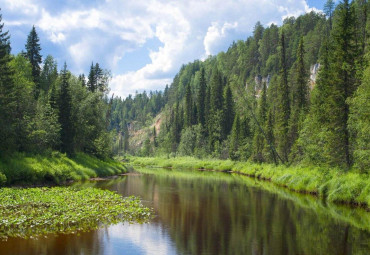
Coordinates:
column 213, row 213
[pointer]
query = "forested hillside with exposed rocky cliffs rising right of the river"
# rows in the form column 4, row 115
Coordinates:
column 299, row 92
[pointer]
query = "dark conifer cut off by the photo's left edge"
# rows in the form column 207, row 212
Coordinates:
column 7, row 98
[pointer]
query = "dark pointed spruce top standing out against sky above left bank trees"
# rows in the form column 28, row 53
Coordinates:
column 33, row 54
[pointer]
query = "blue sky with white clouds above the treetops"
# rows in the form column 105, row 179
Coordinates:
column 142, row 42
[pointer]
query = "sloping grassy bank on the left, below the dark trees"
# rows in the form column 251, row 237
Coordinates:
column 55, row 168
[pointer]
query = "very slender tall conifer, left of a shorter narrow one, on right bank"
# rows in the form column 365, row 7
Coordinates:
column 283, row 107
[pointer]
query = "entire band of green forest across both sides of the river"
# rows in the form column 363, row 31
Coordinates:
column 288, row 94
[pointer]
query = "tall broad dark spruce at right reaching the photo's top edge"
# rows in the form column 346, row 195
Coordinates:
column 343, row 58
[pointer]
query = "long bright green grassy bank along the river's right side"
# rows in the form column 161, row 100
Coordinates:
column 333, row 185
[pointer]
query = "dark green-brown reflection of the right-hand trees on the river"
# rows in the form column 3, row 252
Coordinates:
column 207, row 216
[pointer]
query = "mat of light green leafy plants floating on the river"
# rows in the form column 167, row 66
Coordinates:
column 39, row 211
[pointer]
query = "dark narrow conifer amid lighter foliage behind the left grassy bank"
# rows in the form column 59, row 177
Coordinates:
column 65, row 110
